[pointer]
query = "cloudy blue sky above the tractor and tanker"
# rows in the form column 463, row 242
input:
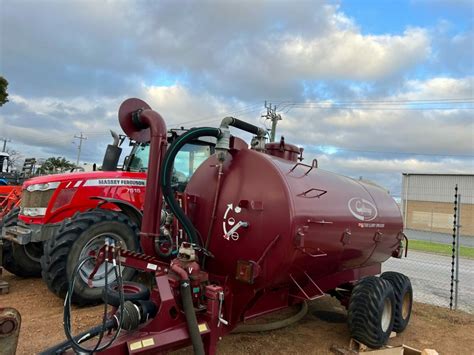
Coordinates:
column 369, row 88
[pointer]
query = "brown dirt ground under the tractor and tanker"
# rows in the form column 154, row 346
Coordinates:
column 430, row 327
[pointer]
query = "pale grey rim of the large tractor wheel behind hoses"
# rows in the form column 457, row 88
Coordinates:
column 94, row 245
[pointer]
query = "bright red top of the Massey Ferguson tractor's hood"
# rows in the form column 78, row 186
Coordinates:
column 81, row 177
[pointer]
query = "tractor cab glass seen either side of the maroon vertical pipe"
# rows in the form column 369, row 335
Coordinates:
column 187, row 160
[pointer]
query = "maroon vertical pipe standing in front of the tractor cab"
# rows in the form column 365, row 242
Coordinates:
column 153, row 196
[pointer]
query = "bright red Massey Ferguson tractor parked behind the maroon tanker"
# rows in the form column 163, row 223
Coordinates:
column 64, row 217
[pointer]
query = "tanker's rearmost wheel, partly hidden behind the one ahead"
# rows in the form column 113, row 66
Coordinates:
column 403, row 298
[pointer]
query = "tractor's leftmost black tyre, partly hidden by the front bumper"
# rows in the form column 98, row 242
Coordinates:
column 20, row 260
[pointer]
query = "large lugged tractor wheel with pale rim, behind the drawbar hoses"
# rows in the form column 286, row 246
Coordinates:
column 77, row 237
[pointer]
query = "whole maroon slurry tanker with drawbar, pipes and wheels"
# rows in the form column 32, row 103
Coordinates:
column 263, row 231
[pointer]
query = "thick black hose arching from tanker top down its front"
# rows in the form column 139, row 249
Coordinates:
column 167, row 173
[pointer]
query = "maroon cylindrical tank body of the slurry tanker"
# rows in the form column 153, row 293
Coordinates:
column 291, row 223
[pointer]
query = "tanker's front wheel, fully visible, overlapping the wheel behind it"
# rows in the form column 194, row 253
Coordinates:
column 372, row 311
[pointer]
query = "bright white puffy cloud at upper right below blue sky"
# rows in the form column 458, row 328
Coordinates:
column 347, row 54
